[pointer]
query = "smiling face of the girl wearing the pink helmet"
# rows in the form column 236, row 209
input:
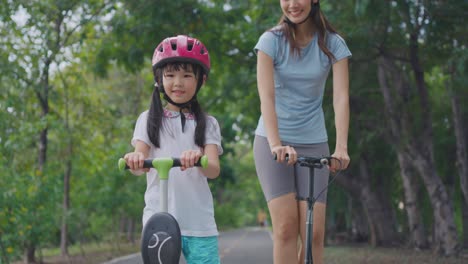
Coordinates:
column 180, row 84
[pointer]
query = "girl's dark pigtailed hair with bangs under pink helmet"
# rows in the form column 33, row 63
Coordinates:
column 156, row 111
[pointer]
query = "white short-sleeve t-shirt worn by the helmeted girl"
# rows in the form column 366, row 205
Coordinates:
column 189, row 197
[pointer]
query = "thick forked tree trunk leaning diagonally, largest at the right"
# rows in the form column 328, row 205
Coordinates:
column 417, row 143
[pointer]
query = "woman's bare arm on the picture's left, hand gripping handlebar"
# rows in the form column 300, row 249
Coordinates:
column 266, row 90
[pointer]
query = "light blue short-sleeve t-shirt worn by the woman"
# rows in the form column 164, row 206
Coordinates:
column 299, row 85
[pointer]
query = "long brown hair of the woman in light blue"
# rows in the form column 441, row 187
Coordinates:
column 321, row 24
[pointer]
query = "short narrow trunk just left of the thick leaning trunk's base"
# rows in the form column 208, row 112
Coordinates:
column 417, row 232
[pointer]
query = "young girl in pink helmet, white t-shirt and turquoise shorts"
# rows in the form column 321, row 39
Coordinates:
column 181, row 129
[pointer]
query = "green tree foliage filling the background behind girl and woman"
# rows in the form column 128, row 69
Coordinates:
column 99, row 79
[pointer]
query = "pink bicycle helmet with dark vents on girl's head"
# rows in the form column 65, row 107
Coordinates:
column 181, row 48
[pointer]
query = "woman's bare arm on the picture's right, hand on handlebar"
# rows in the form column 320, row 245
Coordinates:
column 341, row 108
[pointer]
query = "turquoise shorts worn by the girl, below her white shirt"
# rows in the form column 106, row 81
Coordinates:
column 200, row 250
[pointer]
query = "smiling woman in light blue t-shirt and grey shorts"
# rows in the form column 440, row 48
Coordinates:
column 293, row 62
